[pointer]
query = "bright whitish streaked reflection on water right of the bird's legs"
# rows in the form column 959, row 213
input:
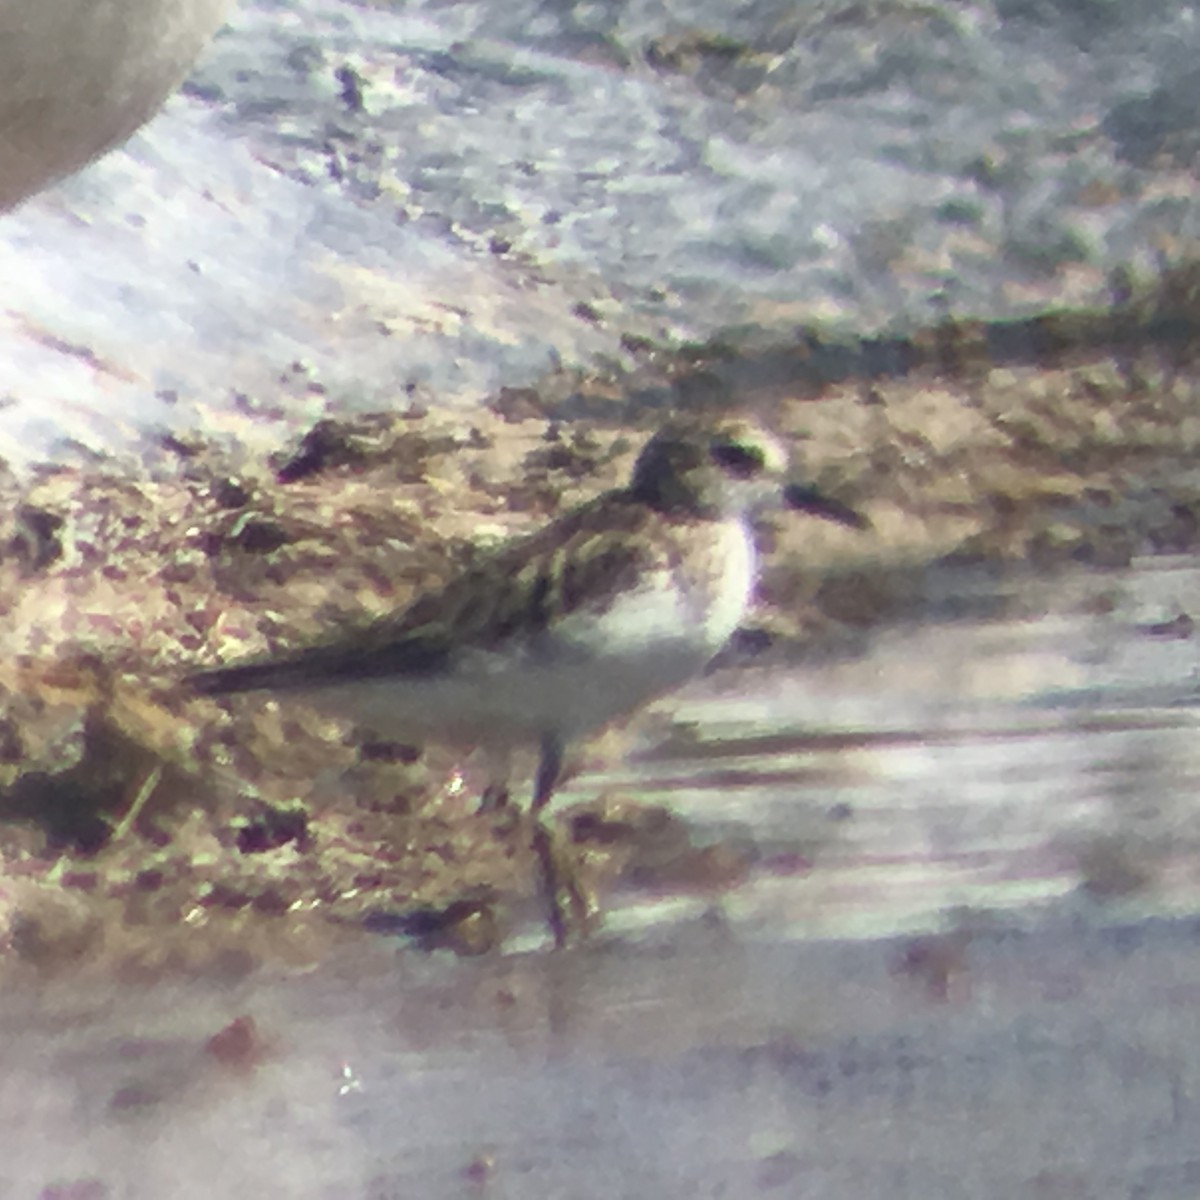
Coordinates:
column 982, row 764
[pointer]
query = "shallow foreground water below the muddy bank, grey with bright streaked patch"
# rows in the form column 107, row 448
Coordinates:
column 962, row 964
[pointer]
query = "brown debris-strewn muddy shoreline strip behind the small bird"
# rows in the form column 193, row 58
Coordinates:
column 145, row 831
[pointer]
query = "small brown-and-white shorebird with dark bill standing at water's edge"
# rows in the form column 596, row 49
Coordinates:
column 561, row 633
